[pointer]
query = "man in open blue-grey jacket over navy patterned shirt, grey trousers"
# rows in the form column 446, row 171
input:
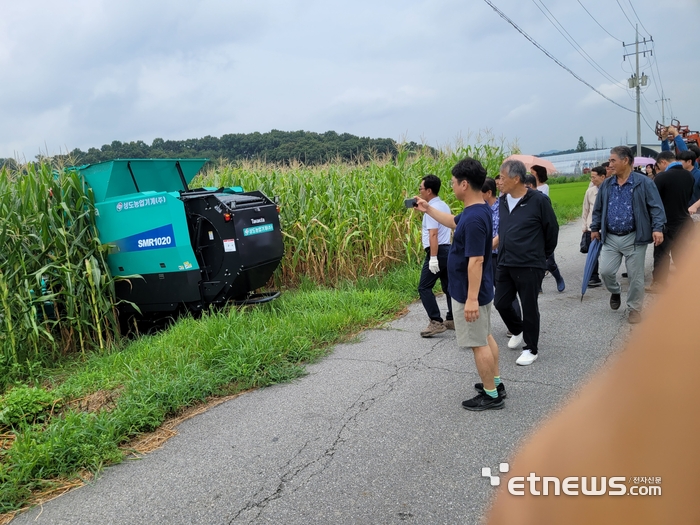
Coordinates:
column 627, row 216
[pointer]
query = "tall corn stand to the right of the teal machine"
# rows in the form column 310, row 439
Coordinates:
column 342, row 221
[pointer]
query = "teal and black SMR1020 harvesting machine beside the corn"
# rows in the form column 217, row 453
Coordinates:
column 189, row 247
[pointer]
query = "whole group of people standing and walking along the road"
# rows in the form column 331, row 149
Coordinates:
column 497, row 250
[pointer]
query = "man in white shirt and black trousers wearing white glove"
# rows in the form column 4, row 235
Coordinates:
column 436, row 243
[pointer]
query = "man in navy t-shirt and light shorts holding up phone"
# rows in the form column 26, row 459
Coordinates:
column 470, row 277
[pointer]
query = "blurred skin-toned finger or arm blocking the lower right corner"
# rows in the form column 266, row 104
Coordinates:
column 630, row 432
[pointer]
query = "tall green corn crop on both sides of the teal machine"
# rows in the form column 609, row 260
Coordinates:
column 340, row 221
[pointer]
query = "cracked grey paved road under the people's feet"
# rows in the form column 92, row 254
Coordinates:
column 374, row 434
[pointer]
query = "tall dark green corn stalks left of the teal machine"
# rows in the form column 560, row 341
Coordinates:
column 56, row 295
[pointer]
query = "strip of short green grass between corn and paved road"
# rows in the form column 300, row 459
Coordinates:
column 103, row 402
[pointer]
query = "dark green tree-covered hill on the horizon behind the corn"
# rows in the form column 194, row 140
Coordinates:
column 276, row 146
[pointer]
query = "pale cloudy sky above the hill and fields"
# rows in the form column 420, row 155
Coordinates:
column 82, row 73
